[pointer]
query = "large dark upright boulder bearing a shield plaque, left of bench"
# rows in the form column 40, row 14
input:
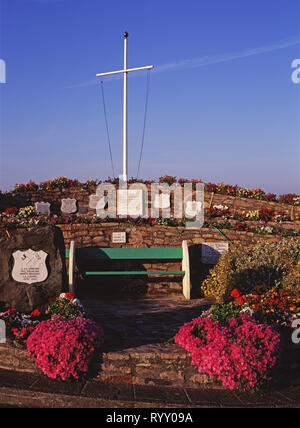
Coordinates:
column 18, row 282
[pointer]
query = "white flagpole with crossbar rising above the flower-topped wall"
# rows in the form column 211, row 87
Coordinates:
column 125, row 71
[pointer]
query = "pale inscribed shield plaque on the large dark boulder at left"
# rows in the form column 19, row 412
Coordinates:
column 29, row 266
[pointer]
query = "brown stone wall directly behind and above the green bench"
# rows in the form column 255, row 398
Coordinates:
column 88, row 235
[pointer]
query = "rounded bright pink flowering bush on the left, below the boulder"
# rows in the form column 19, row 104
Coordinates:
column 65, row 347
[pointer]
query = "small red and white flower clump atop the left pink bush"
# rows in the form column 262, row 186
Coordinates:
column 66, row 306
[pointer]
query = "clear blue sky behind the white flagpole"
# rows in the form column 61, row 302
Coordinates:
column 222, row 105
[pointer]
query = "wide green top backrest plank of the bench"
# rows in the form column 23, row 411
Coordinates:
column 96, row 253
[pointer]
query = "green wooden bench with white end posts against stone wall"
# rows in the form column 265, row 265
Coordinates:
column 94, row 253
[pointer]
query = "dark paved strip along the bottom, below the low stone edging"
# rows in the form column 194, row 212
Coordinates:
column 29, row 390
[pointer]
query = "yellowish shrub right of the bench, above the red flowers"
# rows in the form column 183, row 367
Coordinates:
column 267, row 264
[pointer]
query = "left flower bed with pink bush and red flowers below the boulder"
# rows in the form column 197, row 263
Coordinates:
column 62, row 341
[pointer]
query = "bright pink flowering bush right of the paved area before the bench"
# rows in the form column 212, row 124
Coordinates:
column 239, row 353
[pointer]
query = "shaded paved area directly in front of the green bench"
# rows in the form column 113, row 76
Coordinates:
column 130, row 323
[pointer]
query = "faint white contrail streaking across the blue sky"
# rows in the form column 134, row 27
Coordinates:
column 207, row 60
